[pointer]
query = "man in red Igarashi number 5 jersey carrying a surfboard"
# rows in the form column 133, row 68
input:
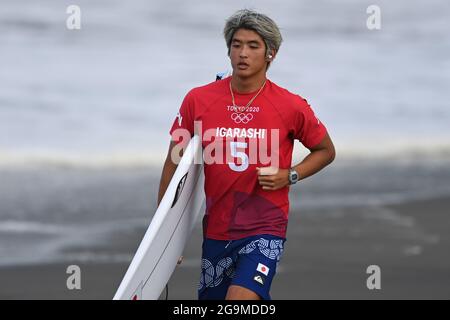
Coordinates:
column 247, row 198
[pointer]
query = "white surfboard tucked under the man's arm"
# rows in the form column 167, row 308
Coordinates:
column 169, row 230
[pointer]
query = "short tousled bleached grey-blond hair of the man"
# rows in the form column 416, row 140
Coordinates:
column 260, row 23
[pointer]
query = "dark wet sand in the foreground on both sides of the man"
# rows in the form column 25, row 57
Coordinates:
column 326, row 257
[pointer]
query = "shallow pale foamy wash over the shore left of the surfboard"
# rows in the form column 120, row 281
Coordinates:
column 32, row 243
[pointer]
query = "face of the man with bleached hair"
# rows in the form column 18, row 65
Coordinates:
column 247, row 53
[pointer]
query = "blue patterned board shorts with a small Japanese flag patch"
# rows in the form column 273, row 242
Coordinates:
column 250, row 263
